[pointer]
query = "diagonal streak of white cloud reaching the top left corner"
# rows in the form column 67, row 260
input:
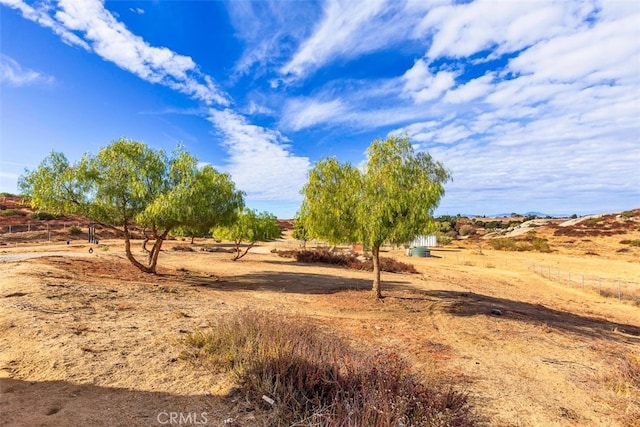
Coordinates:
column 89, row 25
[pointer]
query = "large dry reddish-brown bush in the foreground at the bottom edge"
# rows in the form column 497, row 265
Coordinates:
column 317, row 379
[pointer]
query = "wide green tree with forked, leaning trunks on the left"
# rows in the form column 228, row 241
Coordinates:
column 129, row 185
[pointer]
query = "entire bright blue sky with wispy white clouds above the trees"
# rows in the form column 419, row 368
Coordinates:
column 533, row 105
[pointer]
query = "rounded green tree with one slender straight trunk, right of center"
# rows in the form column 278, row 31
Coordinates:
column 391, row 201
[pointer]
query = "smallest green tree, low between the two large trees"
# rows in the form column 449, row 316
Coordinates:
column 251, row 227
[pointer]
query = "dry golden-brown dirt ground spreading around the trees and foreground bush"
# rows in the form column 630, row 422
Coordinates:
column 92, row 341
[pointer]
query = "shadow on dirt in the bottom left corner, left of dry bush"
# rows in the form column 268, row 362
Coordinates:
column 60, row 403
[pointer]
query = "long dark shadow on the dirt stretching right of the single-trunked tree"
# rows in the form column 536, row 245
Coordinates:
column 472, row 304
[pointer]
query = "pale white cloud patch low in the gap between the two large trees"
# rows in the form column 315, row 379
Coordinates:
column 260, row 161
